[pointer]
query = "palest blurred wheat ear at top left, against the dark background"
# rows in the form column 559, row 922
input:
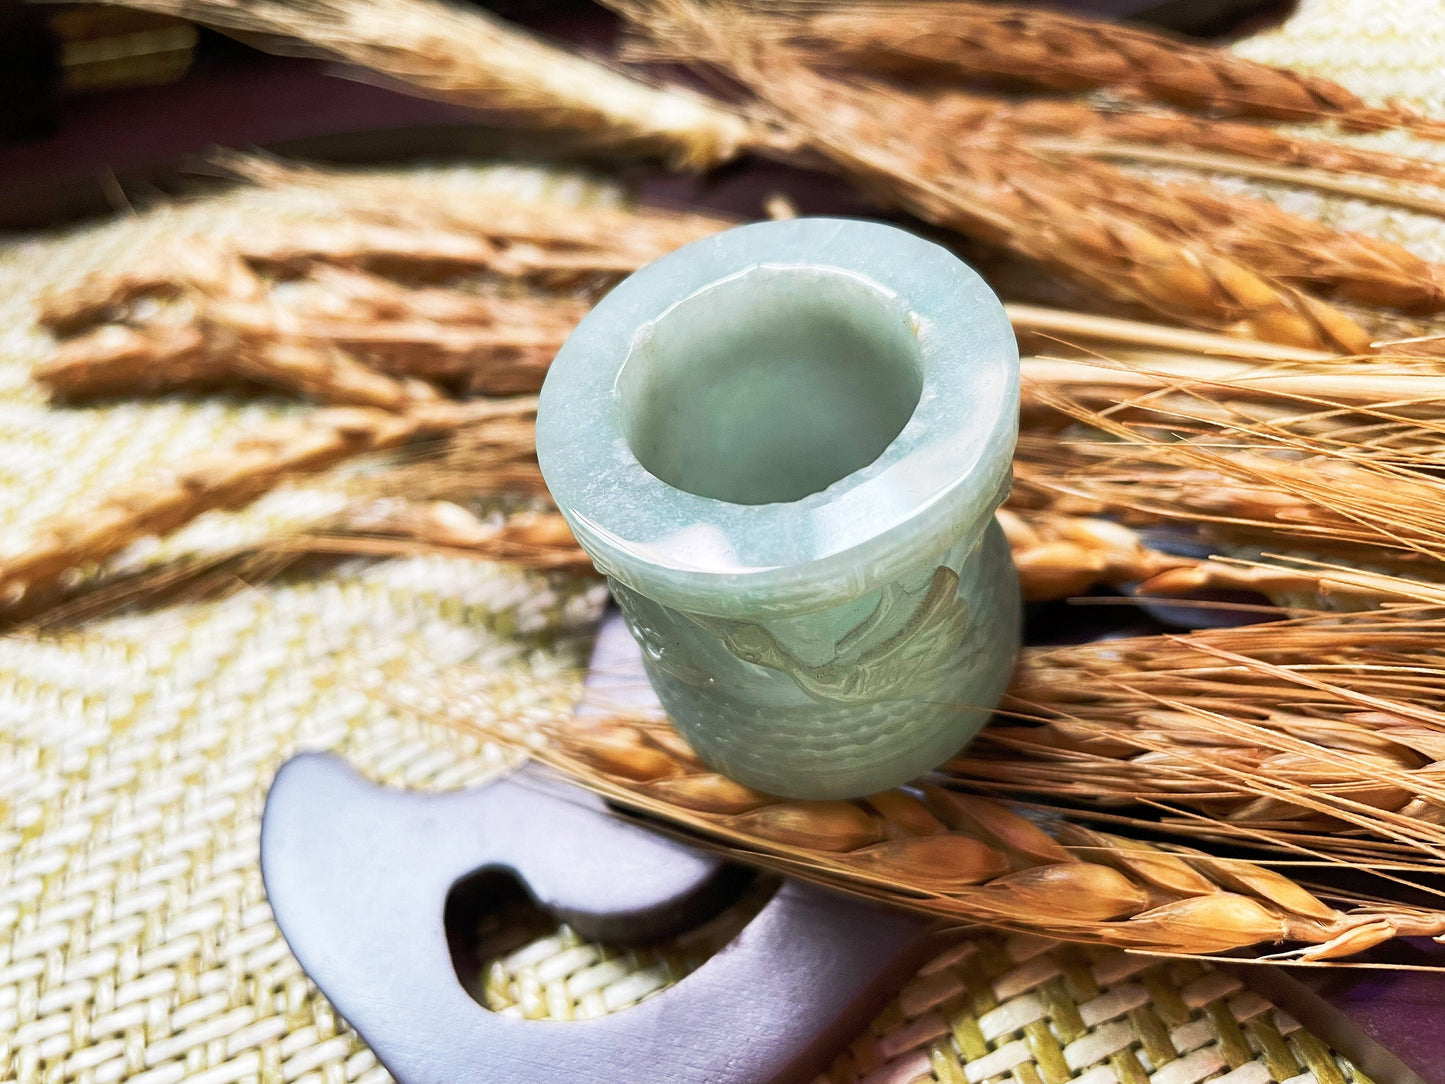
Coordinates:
column 463, row 56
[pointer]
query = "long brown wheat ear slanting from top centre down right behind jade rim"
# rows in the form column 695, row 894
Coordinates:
column 897, row 147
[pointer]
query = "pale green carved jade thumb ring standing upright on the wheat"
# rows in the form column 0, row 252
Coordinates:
column 784, row 446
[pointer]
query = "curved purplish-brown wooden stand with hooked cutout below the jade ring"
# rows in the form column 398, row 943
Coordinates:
column 359, row 879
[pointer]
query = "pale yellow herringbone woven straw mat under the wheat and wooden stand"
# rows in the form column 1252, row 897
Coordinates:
column 137, row 751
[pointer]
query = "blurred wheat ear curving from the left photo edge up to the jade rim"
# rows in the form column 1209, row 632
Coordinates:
column 230, row 479
